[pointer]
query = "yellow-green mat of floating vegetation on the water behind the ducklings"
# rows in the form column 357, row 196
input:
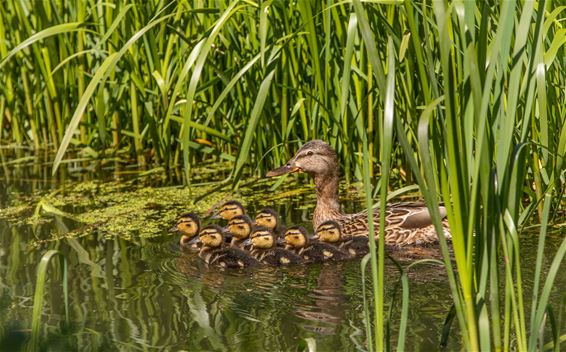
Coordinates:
column 133, row 211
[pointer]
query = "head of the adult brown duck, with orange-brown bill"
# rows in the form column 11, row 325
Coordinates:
column 315, row 158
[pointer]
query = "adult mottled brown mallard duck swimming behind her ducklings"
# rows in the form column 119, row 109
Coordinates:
column 407, row 223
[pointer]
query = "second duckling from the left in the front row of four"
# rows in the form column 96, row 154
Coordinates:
column 265, row 250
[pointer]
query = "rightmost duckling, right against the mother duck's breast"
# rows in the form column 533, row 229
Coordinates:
column 330, row 232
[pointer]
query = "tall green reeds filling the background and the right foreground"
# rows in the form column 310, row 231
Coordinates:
column 463, row 98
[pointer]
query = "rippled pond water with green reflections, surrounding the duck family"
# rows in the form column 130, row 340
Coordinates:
column 141, row 293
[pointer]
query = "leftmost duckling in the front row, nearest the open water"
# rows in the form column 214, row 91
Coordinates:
column 214, row 252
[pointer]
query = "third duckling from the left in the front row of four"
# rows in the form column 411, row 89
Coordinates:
column 297, row 240
